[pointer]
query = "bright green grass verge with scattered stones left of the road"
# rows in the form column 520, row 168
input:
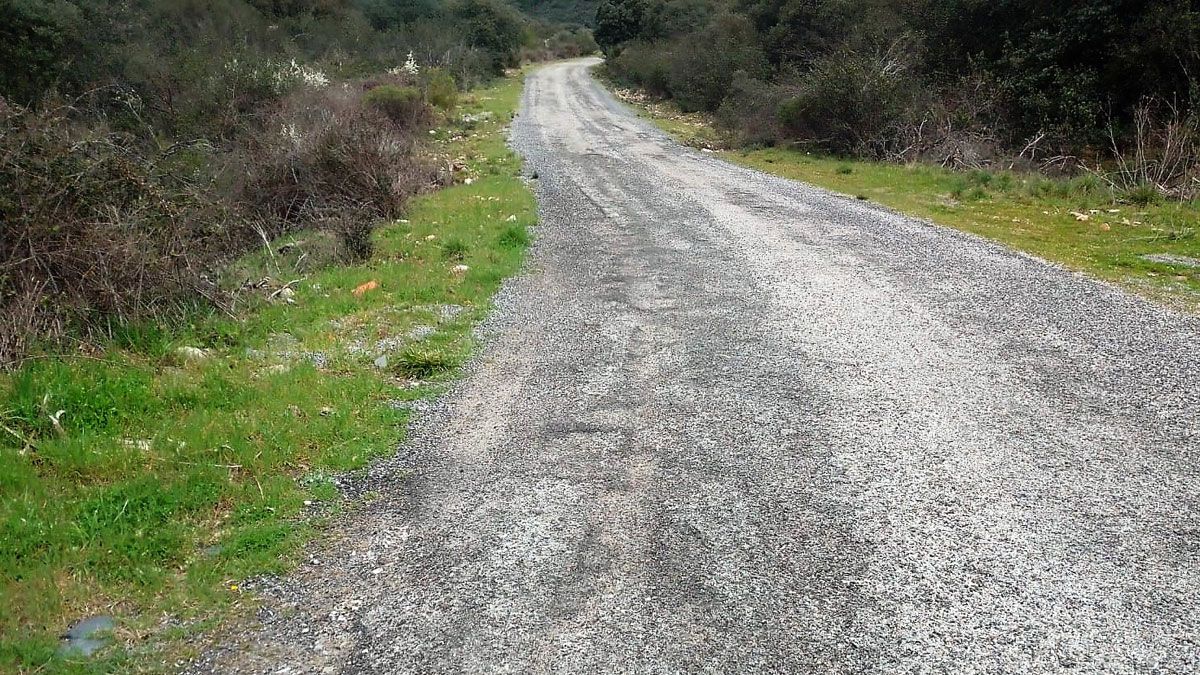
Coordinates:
column 169, row 481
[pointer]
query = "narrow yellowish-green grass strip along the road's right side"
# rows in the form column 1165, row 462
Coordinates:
column 1027, row 212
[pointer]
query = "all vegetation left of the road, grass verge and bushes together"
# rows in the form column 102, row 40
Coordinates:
column 241, row 242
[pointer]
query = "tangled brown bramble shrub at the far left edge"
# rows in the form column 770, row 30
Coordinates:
column 91, row 232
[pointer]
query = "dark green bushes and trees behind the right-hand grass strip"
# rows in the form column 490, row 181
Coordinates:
column 961, row 82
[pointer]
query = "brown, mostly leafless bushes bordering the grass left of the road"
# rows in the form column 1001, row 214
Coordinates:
column 97, row 230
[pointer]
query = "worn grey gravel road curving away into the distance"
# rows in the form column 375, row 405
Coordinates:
column 730, row 422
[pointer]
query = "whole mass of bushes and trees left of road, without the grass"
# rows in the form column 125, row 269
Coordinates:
column 146, row 145
